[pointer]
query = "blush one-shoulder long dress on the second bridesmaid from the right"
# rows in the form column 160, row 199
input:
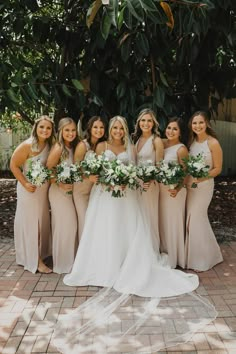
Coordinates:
column 172, row 217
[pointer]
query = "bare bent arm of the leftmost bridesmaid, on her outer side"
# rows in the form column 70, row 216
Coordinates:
column 18, row 158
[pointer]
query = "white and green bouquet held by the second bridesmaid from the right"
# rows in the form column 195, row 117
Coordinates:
column 170, row 173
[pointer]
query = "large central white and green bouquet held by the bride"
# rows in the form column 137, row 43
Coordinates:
column 116, row 176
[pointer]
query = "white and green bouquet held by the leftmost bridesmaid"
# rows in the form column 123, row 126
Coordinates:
column 37, row 174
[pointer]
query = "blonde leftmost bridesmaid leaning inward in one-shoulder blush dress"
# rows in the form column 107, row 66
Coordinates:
column 32, row 221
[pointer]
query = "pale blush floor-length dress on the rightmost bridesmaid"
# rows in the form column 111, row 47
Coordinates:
column 202, row 249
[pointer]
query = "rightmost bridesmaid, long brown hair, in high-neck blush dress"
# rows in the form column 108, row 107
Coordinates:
column 202, row 249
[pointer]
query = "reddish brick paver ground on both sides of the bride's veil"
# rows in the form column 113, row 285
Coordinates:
column 31, row 303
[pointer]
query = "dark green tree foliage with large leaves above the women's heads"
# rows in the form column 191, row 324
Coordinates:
column 82, row 57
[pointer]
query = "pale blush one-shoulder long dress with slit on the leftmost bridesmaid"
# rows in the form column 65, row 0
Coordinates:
column 32, row 221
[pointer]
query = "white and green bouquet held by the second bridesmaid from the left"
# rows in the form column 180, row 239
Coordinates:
column 68, row 173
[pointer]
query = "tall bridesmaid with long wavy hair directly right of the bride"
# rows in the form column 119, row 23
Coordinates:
column 149, row 147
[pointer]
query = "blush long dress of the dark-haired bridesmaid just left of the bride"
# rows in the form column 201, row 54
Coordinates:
column 81, row 192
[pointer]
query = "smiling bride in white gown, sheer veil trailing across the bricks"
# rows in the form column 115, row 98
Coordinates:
column 116, row 252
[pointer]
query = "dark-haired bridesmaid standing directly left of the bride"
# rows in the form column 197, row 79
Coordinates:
column 95, row 133
